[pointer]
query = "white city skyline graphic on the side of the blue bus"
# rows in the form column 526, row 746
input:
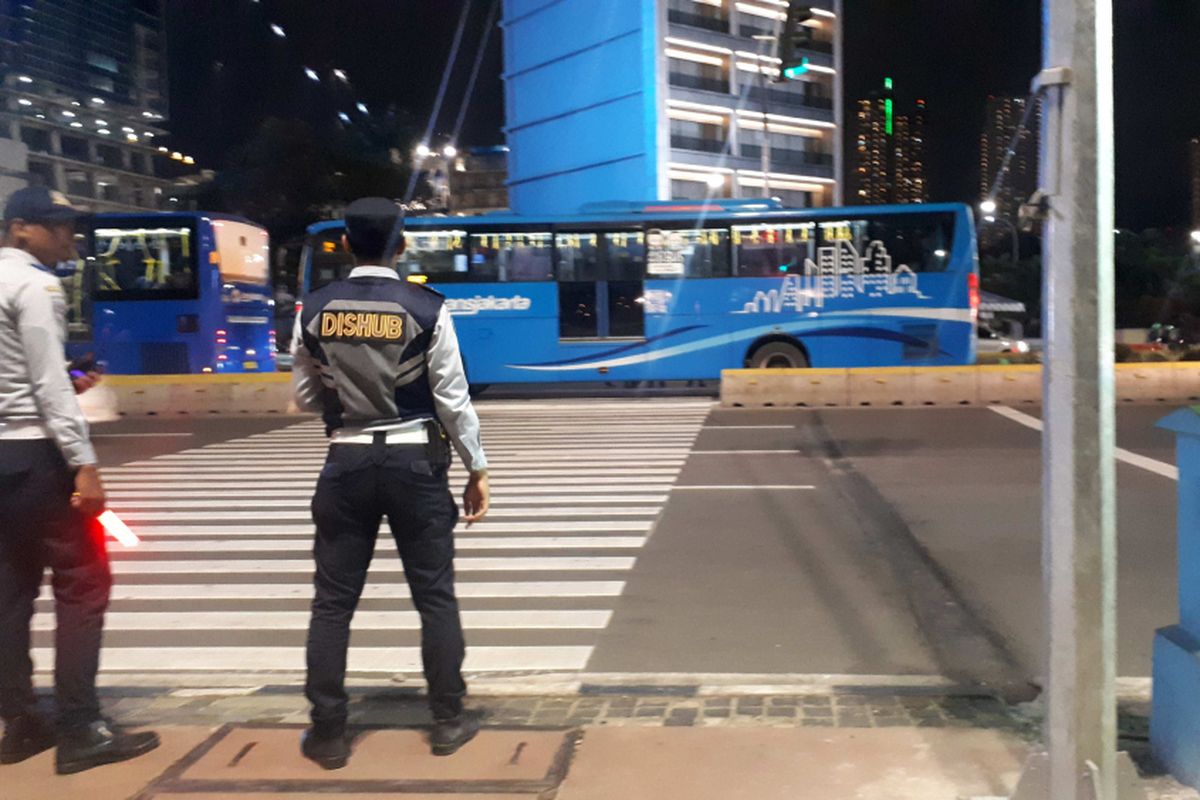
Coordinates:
column 839, row 273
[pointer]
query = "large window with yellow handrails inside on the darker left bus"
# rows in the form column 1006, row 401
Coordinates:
column 145, row 263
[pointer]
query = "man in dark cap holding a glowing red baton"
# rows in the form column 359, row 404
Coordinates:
column 50, row 497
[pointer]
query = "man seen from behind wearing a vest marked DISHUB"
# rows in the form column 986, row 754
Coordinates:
column 379, row 357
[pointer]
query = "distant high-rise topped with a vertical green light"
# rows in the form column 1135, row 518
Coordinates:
column 890, row 152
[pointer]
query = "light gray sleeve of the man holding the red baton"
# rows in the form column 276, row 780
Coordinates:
column 40, row 322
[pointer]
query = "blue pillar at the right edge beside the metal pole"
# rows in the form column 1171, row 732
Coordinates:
column 1175, row 719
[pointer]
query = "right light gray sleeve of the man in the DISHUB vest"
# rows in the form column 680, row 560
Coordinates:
column 448, row 380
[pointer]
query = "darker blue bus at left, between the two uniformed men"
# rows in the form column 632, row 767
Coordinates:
column 172, row 293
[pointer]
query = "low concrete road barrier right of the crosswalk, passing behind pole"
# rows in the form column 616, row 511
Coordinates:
column 980, row 386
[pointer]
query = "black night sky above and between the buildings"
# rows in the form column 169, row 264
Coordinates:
column 229, row 73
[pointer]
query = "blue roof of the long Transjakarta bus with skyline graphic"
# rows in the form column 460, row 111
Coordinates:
column 661, row 212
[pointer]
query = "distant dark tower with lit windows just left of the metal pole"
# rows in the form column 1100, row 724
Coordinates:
column 1001, row 124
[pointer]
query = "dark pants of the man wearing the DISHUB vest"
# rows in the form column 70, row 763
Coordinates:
column 358, row 488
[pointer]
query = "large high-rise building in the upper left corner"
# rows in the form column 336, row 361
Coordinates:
column 83, row 100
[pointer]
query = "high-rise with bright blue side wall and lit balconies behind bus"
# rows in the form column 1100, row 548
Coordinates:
column 655, row 100
